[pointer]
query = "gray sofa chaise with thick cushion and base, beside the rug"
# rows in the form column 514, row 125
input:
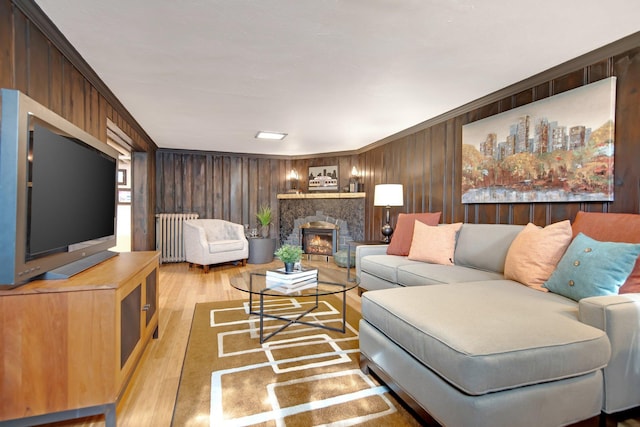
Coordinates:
column 488, row 356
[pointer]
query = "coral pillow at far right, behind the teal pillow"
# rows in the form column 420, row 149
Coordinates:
column 612, row 227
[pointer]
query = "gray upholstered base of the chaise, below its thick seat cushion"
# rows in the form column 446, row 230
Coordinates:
column 561, row 402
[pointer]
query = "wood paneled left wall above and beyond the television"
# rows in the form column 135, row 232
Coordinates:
column 38, row 61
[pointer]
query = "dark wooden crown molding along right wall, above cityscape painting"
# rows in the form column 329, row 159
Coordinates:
column 612, row 49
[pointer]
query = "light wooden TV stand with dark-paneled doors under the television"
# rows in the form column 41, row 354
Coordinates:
column 69, row 347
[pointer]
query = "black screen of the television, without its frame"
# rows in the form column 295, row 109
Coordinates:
column 67, row 203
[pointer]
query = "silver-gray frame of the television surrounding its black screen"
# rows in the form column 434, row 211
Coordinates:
column 19, row 112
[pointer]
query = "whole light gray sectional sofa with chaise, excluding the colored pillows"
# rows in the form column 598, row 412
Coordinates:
column 466, row 347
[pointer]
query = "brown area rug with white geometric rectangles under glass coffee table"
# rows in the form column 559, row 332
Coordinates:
column 302, row 376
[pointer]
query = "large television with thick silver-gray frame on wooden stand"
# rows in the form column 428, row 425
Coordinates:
column 58, row 186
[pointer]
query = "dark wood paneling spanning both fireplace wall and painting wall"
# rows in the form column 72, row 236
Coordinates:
column 425, row 159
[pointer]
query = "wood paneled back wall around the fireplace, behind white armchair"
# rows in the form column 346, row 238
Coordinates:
column 232, row 186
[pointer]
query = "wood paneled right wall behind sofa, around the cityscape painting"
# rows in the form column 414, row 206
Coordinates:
column 428, row 161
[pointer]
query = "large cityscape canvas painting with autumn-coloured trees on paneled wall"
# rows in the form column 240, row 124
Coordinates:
column 558, row 149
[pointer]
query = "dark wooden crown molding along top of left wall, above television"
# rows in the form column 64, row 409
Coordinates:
column 36, row 15
